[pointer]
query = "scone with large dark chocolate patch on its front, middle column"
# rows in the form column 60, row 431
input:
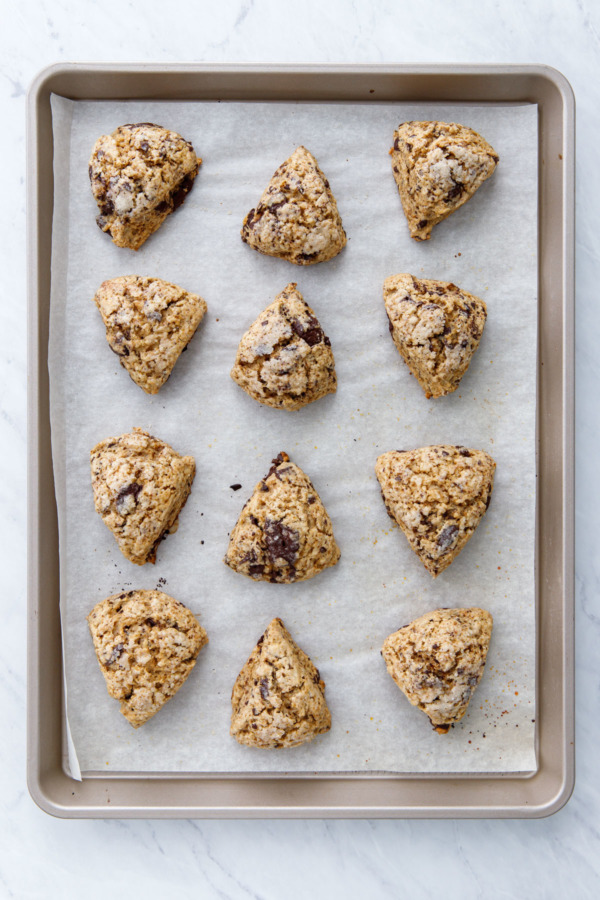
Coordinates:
column 283, row 533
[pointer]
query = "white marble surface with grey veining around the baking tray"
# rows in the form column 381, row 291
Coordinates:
column 45, row 857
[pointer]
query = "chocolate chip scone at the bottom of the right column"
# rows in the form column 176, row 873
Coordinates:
column 437, row 661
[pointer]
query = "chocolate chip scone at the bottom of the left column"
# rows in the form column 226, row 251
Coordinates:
column 146, row 643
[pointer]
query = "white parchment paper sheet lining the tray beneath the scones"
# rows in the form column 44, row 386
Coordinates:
column 341, row 617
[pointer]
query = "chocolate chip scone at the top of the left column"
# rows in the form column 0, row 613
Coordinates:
column 139, row 175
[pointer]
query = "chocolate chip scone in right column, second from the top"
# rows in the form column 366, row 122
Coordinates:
column 436, row 328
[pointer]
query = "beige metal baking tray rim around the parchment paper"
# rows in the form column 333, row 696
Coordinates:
column 156, row 795
